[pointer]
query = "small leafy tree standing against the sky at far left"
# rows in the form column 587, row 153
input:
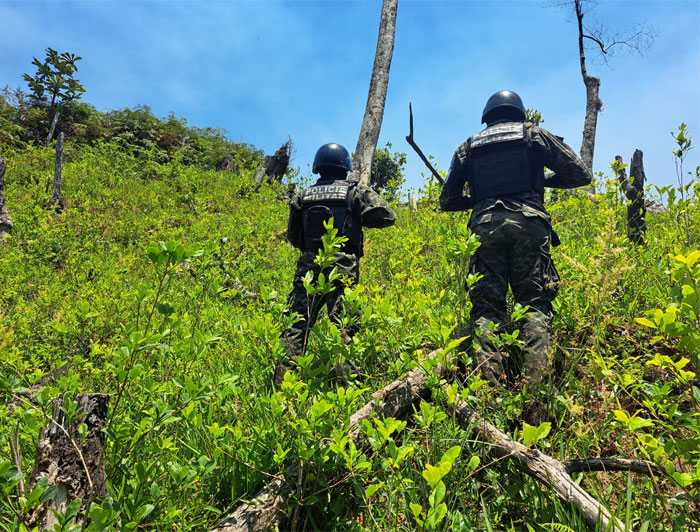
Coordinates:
column 53, row 84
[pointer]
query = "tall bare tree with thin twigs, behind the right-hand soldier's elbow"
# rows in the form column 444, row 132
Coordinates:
column 593, row 35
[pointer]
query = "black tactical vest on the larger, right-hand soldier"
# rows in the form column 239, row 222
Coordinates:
column 502, row 159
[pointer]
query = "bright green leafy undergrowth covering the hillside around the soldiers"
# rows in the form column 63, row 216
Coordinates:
column 163, row 283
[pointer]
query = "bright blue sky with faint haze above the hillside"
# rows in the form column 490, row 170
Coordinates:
column 264, row 70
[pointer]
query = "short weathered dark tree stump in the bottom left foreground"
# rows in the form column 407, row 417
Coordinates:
column 71, row 461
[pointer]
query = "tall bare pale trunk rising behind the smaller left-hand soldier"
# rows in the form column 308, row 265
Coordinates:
column 376, row 98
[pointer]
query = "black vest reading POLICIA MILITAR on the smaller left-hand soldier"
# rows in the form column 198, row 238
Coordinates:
column 321, row 202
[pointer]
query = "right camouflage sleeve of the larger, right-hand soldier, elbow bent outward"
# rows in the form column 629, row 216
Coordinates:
column 569, row 170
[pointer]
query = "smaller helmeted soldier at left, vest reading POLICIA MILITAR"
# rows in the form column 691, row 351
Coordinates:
column 352, row 206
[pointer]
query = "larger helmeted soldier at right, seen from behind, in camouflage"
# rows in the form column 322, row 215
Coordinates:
column 503, row 167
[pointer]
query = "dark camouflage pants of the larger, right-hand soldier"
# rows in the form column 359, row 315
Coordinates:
column 514, row 251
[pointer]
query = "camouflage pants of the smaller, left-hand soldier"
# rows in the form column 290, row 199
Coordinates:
column 308, row 307
